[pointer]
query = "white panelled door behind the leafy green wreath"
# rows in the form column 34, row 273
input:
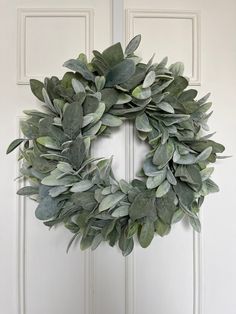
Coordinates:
column 182, row 273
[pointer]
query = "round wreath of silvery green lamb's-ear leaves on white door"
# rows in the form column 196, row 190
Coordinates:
column 81, row 191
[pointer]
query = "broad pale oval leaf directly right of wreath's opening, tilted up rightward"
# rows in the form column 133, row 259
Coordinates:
column 163, row 154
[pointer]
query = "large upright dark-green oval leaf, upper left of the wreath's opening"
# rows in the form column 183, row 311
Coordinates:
column 72, row 119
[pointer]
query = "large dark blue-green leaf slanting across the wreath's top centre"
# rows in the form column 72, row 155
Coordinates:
column 120, row 73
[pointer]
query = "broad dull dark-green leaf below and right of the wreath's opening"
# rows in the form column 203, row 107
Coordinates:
column 143, row 205
